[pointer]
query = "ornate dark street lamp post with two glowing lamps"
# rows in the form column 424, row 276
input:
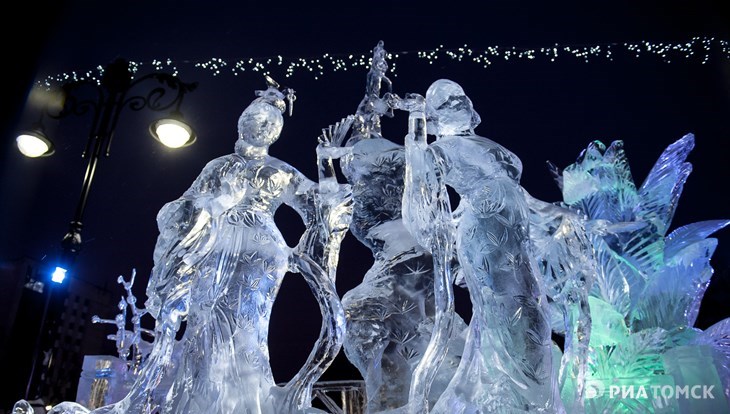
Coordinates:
column 108, row 98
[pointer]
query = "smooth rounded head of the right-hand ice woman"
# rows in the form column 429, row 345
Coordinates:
column 448, row 110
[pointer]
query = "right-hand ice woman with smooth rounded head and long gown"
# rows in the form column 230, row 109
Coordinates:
column 507, row 362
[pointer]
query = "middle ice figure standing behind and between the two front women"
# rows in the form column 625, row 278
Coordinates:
column 391, row 315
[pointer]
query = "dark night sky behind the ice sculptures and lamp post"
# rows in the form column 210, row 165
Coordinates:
column 540, row 110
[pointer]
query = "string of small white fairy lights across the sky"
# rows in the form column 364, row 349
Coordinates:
column 698, row 49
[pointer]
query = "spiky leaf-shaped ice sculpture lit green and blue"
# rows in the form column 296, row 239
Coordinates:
column 644, row 354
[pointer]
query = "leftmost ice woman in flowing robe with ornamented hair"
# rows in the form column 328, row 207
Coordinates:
column 219, row 262
